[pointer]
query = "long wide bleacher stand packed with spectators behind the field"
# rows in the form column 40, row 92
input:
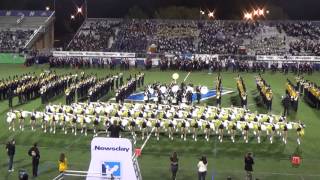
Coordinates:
column 205, row 37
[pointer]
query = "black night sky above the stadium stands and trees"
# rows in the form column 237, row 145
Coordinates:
column 225, row 9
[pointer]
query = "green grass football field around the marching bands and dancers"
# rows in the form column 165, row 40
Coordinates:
column 225, row 159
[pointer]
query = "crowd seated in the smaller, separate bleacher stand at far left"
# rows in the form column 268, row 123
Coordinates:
column 13, row 40
